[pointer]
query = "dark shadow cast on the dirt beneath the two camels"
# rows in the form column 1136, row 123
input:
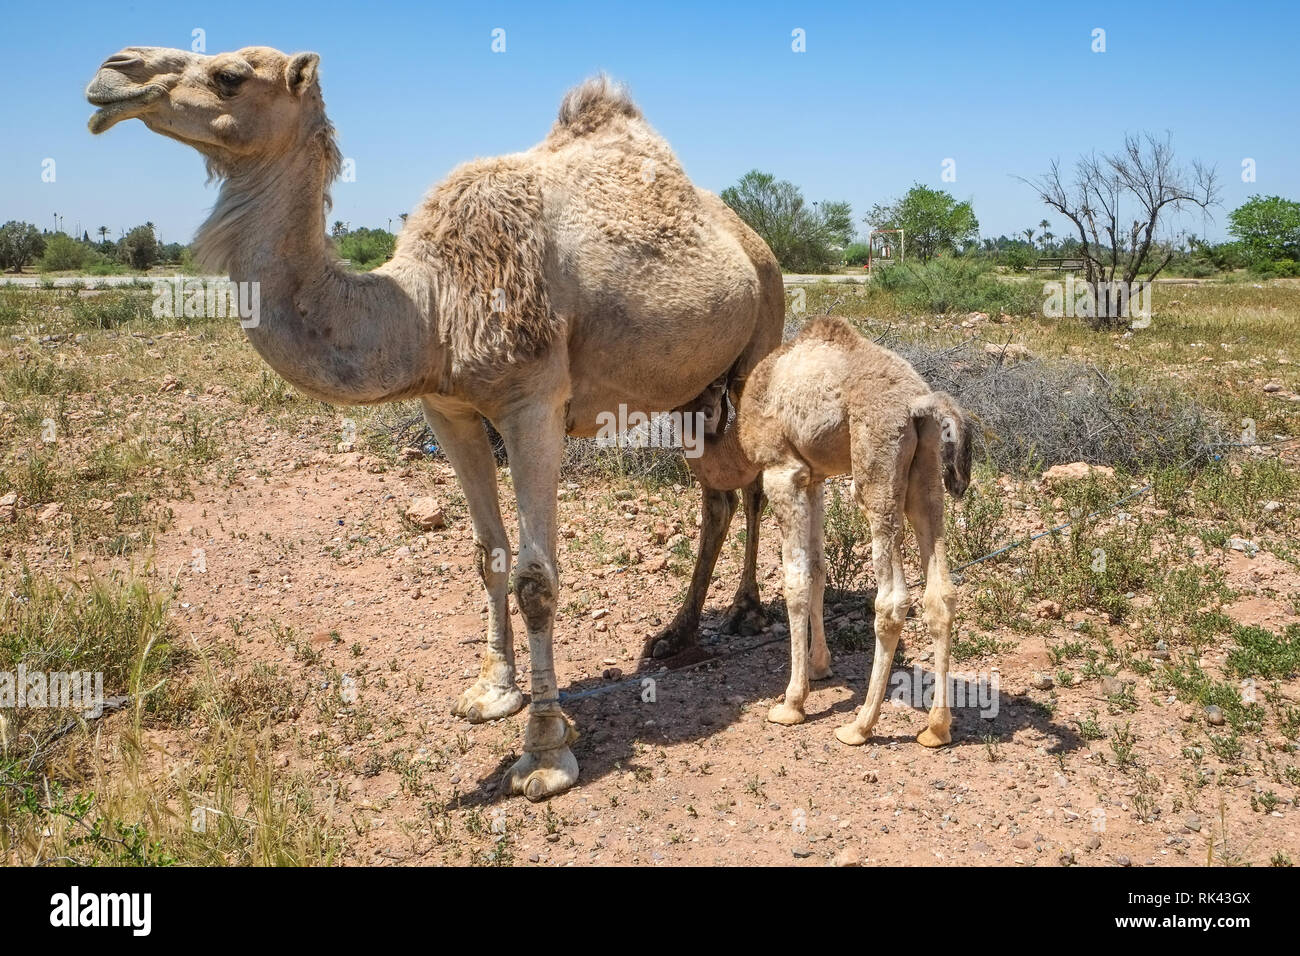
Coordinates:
column 660, row 707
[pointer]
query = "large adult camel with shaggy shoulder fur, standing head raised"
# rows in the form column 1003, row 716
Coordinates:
column 539, row 291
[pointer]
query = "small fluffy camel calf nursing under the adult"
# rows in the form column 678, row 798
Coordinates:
column 831, row 403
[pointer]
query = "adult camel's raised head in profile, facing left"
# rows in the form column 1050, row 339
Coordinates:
column 236, row 109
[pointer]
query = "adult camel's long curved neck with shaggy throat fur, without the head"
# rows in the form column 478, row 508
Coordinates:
column 337, row 336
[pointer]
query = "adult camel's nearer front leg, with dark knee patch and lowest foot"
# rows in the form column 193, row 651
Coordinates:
column 535, row 442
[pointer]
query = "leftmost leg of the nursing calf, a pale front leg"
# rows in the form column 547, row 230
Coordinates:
column 788, row 491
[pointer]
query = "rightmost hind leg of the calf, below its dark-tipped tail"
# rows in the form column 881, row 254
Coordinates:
column 926, row 513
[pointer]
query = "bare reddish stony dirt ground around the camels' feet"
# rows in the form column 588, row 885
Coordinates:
column 696, row 777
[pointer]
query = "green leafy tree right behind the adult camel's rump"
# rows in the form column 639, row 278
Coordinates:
column 803, row 239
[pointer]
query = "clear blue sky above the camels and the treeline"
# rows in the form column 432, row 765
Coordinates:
column 885, row 93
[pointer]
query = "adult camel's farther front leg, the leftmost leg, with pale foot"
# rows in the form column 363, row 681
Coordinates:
column 462, row 438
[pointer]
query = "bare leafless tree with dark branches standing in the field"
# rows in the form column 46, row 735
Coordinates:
column 1143, row 176
